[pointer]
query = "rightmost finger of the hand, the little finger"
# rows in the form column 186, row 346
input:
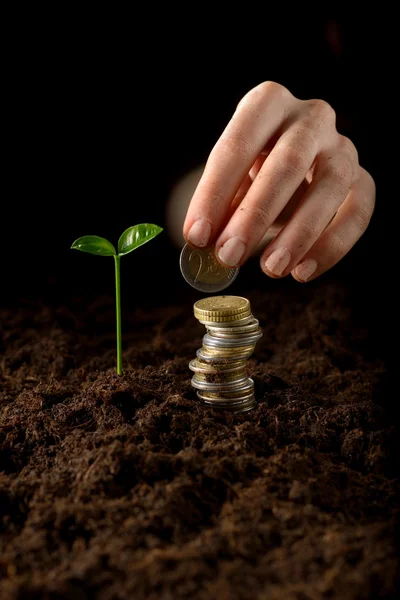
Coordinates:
column 342, row 233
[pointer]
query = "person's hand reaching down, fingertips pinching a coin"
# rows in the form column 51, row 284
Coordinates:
column 281, row 166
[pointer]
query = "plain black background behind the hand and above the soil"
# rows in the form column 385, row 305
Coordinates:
column 107, row 111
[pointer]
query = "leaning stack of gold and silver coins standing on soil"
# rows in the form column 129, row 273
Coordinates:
column 220, row 367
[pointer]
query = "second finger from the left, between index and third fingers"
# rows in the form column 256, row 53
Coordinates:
column 278, row 179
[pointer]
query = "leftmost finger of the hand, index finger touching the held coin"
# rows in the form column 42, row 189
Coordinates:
column 258, row 117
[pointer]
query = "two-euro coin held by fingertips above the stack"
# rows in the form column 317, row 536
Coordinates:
column 202, row 271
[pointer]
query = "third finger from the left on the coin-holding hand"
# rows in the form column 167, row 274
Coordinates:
column 334, row 173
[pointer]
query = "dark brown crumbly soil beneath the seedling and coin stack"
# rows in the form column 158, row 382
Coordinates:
column 127, row 488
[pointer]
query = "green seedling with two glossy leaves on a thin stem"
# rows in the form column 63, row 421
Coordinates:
column 131, row 239
